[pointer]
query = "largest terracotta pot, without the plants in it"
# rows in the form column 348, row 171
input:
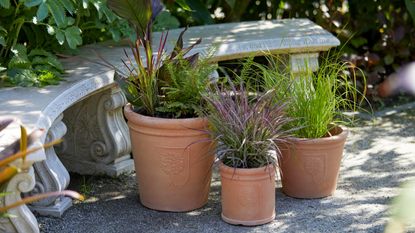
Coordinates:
column 173, row 161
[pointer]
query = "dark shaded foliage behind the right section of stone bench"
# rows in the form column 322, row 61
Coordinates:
column 378, row 35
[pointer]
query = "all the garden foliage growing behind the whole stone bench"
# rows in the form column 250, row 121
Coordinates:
column 378, row 34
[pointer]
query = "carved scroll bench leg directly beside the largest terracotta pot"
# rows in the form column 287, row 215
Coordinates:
column 97, row 141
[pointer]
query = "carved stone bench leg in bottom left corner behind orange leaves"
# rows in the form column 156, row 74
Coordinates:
column 23, row 221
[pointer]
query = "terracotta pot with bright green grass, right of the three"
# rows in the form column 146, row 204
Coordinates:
column 311, row 159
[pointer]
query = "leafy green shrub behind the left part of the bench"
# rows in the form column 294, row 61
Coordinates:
column 30, row 30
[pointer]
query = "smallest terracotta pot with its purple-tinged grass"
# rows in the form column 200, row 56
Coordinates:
column 246, row 128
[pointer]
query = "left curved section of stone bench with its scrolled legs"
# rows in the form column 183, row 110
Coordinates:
column 85, row 109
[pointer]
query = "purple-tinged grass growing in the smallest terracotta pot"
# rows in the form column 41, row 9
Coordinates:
column 247, row 128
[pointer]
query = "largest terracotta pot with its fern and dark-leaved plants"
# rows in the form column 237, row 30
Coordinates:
column 172, row 152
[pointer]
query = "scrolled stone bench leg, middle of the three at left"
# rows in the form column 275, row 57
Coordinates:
column 51, row 176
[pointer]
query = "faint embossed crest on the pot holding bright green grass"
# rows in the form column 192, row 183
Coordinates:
column 315, row 167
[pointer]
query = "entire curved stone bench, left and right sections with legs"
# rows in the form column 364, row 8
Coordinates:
column 86, row 108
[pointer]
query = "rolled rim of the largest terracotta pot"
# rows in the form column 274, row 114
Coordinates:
column 158, row 122
